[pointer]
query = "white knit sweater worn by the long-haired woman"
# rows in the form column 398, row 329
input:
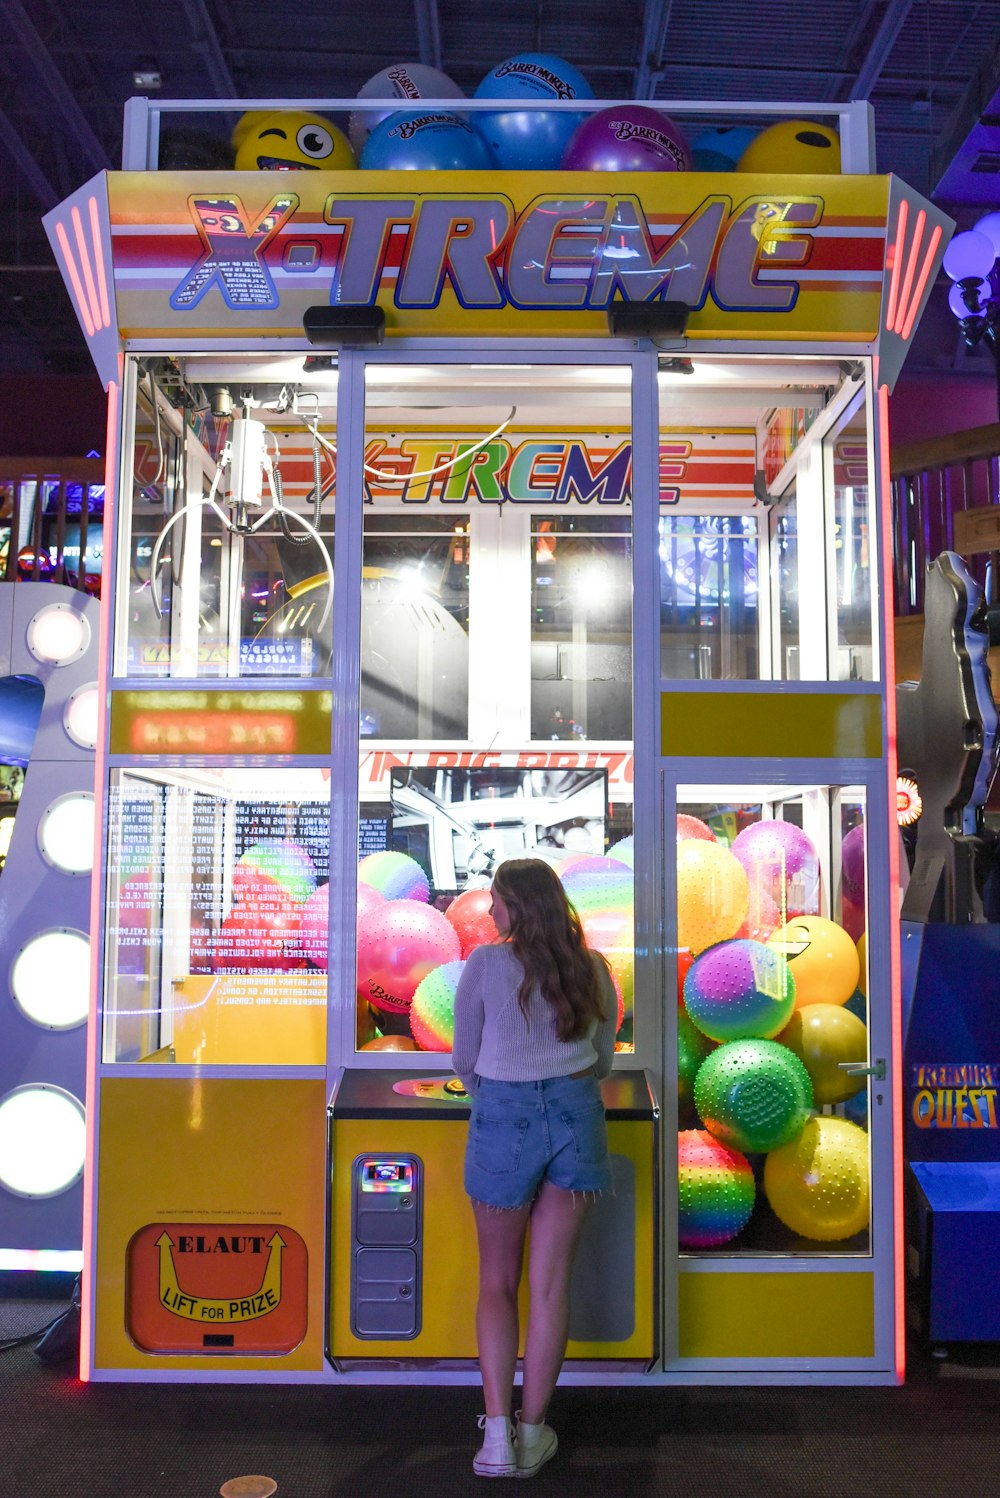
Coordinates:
column 493, row 1039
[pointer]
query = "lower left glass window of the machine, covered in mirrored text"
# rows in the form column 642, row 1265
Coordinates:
column 218, row 894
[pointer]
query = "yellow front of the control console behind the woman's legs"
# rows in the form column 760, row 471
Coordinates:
column 450, row 1240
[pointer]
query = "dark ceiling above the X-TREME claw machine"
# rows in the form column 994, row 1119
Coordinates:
column 930, row 68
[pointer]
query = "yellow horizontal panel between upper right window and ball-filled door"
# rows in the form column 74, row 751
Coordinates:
column 773, row 726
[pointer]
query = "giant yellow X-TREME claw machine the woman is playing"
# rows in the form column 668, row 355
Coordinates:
column 502, row 513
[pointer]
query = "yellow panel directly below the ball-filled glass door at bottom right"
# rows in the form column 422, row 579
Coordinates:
column 776, row 1316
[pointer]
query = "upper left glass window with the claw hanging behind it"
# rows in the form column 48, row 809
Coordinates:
column 230, row 531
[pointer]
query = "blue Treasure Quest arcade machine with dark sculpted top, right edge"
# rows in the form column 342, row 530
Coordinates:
column 950, row 751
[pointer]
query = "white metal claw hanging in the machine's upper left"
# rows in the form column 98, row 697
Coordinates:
column 243, row 468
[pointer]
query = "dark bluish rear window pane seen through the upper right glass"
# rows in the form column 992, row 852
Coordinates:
column 709, row 598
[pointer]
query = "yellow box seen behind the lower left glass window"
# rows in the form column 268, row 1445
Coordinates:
column 278, row 1019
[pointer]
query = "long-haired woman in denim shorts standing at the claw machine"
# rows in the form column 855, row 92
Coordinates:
column 535, row 1028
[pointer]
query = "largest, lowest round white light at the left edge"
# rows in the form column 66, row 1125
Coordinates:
column 43, row 1141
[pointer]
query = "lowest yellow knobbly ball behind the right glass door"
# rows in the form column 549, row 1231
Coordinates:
column 818, row 1184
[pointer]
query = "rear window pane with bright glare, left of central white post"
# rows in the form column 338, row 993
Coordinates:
column 415, row 628
